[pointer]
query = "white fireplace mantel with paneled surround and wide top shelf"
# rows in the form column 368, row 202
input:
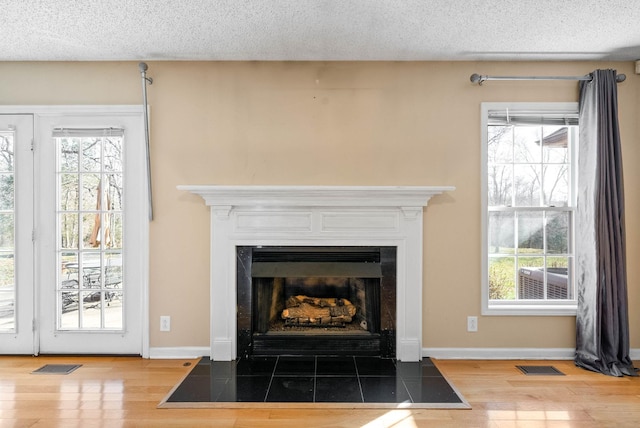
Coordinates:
column 322, row 216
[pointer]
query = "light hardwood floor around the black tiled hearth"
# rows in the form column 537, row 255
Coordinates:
column 125, row 392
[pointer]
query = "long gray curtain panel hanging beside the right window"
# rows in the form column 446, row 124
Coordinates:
column 602, row 323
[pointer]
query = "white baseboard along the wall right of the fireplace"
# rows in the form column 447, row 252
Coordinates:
column 508, row 353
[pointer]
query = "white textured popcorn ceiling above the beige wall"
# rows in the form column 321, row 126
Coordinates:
column 403, row 30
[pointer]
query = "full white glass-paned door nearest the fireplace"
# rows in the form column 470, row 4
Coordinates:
column 93, row 181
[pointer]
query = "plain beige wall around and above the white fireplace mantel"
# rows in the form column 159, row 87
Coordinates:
column 331, row 124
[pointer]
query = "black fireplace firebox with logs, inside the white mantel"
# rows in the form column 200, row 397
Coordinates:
column 320, row 300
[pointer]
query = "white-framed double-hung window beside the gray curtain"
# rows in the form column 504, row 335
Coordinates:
column 528, row 205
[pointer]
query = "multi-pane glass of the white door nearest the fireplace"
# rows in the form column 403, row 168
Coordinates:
column 90, row 207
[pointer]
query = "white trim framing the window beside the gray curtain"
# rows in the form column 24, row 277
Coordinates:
column 510, row 308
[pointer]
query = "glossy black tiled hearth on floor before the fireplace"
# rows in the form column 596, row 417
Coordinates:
column 316, row 379
